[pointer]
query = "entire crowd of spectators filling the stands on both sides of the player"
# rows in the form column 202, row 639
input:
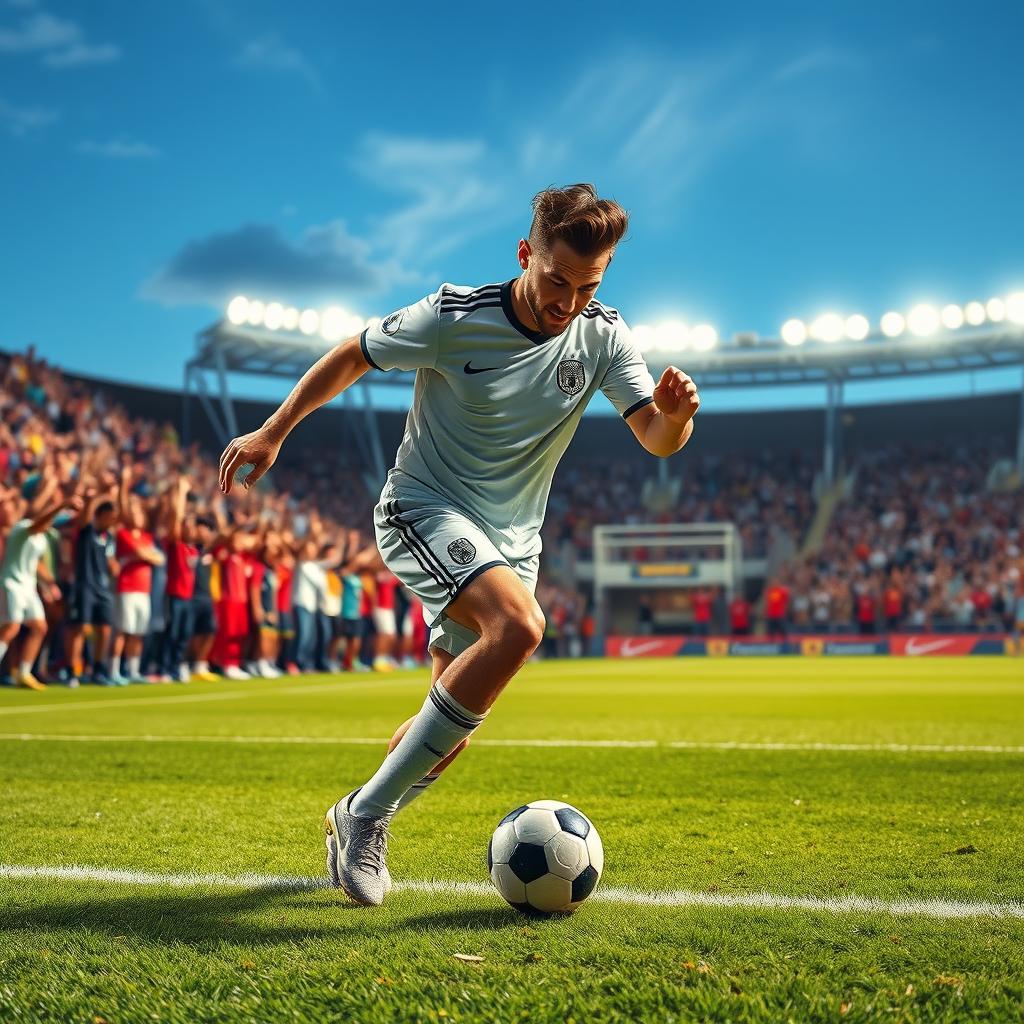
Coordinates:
column 122, row 562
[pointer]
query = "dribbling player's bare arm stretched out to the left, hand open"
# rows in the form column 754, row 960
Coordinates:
column 325, row 380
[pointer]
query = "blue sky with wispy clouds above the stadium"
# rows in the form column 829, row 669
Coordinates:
column 778, row 159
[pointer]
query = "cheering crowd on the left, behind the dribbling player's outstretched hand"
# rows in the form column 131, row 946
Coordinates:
column 122, row 563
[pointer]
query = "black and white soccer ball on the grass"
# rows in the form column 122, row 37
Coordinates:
column 545, row 857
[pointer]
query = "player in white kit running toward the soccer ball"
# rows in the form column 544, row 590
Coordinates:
column 504, row 373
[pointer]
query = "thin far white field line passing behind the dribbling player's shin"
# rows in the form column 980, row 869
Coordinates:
column 620, row 744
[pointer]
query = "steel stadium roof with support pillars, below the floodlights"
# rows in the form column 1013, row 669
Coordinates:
column 228, row 348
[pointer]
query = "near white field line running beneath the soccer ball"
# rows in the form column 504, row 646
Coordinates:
column 681, row 899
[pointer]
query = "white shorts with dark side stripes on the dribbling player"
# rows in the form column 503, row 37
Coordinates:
column 437, row 551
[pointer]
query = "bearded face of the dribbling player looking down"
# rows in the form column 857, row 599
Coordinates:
column 560, row 283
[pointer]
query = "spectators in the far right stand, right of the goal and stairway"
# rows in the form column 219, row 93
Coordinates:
column 926, row 540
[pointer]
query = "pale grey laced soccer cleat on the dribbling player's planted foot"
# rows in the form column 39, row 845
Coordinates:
column 357, row 852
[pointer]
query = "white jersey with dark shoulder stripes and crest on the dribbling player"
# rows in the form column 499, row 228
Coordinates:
column 496, row 404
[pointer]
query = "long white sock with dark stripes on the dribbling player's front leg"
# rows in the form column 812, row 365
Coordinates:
column 442, row 724
